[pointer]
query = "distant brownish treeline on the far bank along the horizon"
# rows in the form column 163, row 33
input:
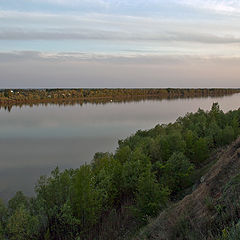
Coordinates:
column 16, row 96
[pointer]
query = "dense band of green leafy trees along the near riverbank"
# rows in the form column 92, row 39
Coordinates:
column 118, row 192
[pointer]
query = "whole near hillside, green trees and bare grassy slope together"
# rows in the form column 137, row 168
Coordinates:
column 150, row 171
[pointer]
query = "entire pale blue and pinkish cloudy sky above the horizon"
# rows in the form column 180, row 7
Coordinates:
column 119, row 43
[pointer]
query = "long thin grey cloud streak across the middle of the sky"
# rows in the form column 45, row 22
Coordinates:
column 83, row 34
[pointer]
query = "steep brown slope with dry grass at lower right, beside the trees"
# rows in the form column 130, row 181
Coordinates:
column 209, row 210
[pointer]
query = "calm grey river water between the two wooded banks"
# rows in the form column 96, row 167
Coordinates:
column 34, row 140
